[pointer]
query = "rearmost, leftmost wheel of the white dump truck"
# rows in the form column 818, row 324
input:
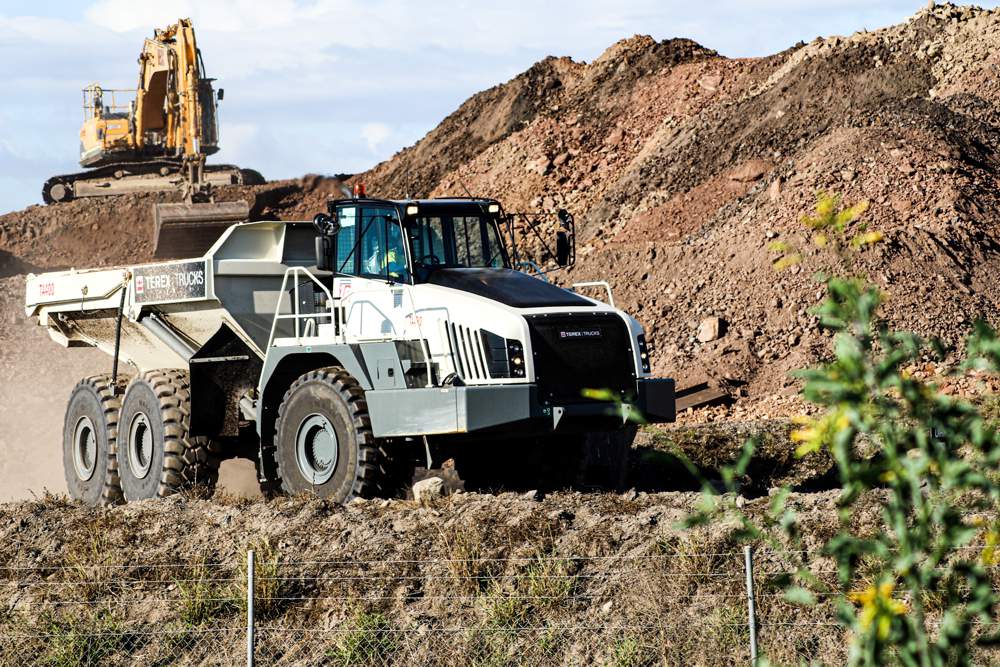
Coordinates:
column 90, row 430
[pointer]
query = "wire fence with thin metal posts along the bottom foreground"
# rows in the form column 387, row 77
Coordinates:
column 663, row 608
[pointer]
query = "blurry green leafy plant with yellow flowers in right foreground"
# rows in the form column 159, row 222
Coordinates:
column 932, row 472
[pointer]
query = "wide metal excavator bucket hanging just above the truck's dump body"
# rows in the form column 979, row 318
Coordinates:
column 188, row 230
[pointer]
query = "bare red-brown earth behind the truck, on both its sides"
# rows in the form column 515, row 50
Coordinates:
column 682, row 166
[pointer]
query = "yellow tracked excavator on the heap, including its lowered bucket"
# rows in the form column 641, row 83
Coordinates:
column 156, row 138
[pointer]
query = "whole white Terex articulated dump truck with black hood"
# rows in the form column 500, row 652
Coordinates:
column 342, row 355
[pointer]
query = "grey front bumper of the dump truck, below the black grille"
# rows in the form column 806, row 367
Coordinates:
column 514, row 408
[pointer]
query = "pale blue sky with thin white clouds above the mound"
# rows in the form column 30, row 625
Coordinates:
column 335, row 86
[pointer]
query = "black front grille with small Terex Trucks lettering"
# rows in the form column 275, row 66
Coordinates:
column 577, row 352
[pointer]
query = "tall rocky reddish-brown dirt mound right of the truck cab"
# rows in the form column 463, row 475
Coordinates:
column 692, row 167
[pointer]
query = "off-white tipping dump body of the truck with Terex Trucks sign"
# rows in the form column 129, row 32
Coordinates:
column 234, row 284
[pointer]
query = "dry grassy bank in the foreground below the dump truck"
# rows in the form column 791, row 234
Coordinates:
column 586, row 580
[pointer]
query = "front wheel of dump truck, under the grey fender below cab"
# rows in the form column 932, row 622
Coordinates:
column 323, row 438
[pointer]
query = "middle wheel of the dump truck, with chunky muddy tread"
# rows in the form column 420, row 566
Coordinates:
column 157, row 455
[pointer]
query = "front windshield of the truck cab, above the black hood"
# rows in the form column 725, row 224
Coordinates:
column 460, row 240
